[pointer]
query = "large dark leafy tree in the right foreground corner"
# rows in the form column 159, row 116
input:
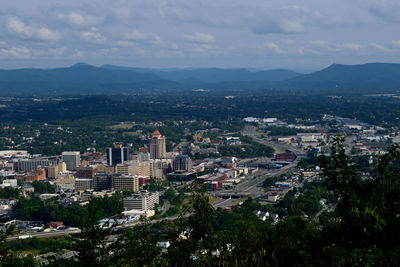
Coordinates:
column 368, row 207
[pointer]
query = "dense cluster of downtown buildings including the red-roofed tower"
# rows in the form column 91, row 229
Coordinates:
column 77, row 175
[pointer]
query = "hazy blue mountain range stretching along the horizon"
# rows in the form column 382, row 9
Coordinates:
column 88, row 79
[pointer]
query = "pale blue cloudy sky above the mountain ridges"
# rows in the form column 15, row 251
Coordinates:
column 267, row 34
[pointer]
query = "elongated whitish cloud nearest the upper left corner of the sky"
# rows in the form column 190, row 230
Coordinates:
column 17, row 27
